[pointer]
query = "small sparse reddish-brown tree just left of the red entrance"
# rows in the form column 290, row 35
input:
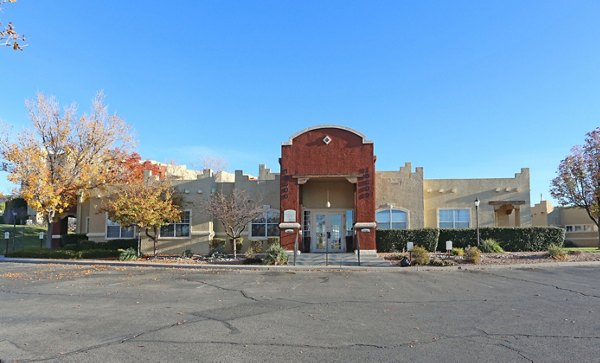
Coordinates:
column 235, row 212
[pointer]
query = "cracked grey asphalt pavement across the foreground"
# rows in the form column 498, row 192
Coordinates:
column 82, row 313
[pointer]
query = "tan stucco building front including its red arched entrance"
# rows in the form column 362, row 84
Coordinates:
column 328, row 183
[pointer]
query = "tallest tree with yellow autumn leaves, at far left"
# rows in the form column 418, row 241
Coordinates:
column 64, row 157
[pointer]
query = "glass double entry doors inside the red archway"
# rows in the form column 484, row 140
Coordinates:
column 329, row 232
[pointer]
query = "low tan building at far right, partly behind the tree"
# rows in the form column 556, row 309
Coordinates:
column 580, row 231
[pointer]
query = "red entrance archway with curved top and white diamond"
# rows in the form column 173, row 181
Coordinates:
column 323, row 153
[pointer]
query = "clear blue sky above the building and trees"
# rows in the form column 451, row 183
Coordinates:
column 465, row 89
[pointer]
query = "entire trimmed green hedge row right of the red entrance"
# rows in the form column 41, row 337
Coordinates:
column 510, row 239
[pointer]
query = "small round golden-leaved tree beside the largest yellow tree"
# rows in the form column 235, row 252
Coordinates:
column 148, row 203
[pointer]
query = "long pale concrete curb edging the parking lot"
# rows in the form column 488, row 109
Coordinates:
column 298, row 268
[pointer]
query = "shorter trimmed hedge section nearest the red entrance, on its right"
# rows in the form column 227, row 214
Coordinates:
column 390, row 240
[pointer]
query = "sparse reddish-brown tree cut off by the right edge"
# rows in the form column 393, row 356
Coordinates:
column 578, row 178
